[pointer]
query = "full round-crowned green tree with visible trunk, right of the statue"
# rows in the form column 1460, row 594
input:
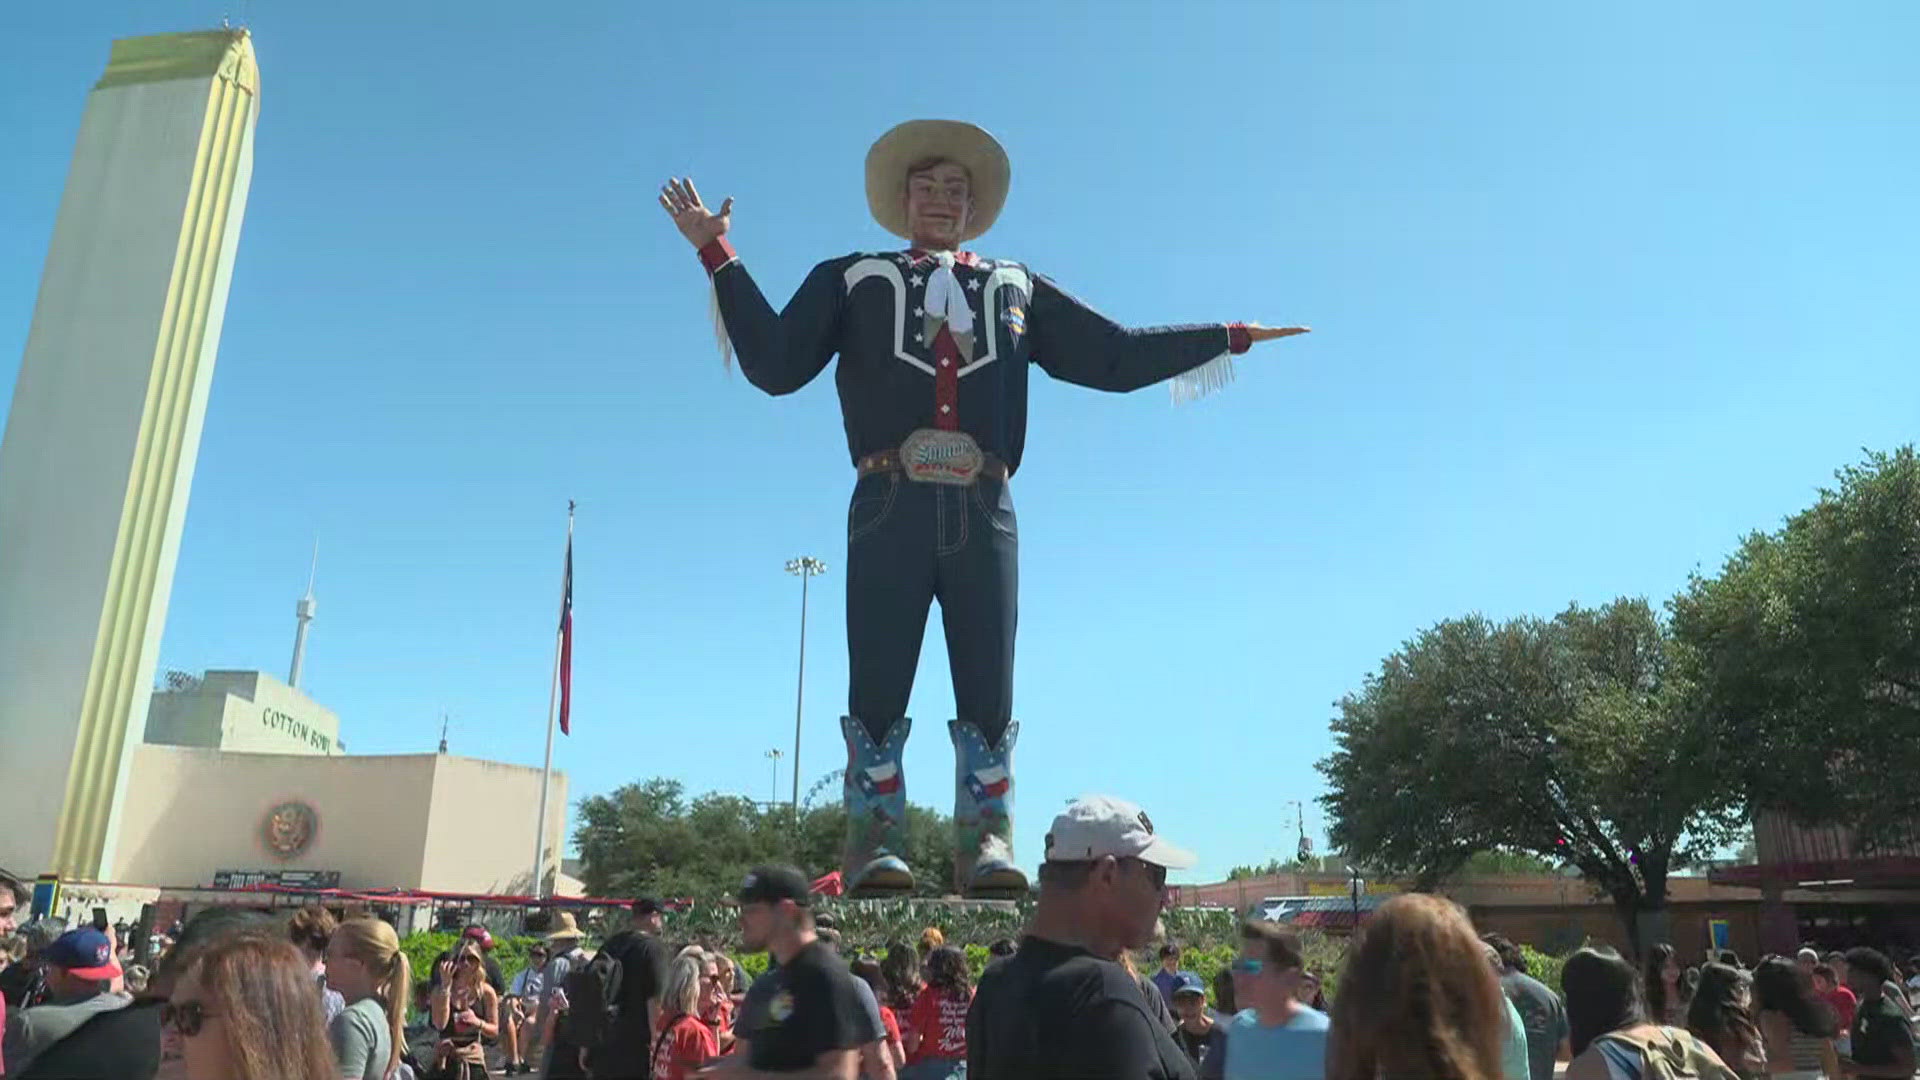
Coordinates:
column 1577, row 741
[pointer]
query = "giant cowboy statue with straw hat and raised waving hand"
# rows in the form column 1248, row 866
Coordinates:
column 934, row 351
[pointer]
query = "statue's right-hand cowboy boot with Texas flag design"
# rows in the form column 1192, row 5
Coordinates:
column 984, row 814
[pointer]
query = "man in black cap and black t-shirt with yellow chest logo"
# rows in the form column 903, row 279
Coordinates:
column 805, row 1014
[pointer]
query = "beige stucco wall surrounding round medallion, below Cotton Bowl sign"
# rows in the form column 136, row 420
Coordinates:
column 385, row 822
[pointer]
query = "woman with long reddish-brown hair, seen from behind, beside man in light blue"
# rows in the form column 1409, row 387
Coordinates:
column 1418, row 998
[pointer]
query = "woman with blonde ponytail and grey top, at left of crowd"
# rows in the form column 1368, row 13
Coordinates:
column 366, row 966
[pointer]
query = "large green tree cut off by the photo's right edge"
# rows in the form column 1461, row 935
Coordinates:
column 1810, row 643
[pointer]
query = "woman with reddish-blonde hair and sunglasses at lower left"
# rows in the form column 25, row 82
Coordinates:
column 243, row 1010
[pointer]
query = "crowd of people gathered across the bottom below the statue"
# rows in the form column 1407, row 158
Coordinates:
column 252, row 996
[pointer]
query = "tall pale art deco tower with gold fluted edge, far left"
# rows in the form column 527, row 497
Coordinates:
column 105, row 430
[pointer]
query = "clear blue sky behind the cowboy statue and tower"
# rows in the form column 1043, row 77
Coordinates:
column 1595, row 293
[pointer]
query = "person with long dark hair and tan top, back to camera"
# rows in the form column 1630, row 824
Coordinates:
column 1610, row 1033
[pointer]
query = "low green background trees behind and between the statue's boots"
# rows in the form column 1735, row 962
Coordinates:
column 648, row 839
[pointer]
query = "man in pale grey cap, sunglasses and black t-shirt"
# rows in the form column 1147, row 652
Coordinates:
column 1059, row 1010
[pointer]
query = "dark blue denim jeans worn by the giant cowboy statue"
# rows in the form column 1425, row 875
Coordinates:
column 909, row 545
